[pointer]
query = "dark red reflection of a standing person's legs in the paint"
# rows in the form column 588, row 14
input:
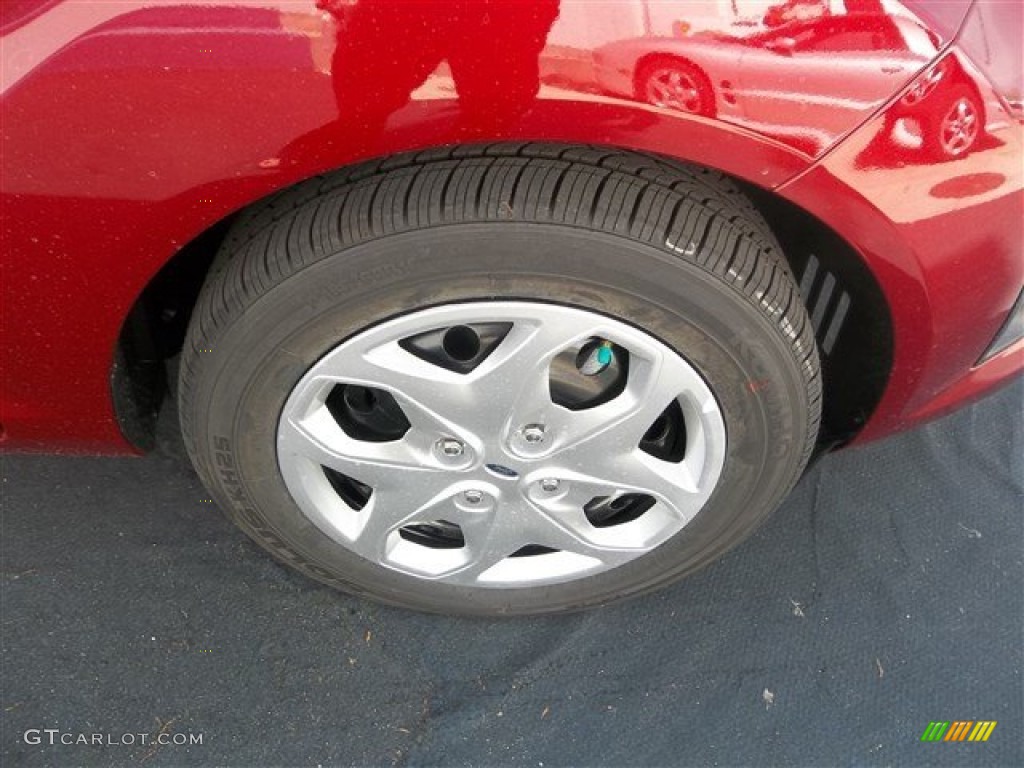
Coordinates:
column 386, row 51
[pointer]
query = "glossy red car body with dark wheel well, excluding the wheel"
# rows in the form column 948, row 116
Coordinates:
column 133, row 132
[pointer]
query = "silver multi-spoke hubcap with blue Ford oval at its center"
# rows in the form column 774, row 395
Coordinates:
column 481, row 473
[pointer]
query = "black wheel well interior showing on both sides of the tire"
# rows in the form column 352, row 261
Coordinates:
column 846, row 305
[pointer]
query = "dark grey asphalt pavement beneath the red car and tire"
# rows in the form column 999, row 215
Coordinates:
column 887, row 593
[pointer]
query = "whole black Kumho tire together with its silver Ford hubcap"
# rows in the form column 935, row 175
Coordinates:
column 501, row 380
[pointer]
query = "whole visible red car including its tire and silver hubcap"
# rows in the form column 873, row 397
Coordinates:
column 458, row 337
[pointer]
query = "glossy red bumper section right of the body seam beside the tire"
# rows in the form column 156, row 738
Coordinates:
column 948, row 253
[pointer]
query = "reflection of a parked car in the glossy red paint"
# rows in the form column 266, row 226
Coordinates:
column 774, row 81
